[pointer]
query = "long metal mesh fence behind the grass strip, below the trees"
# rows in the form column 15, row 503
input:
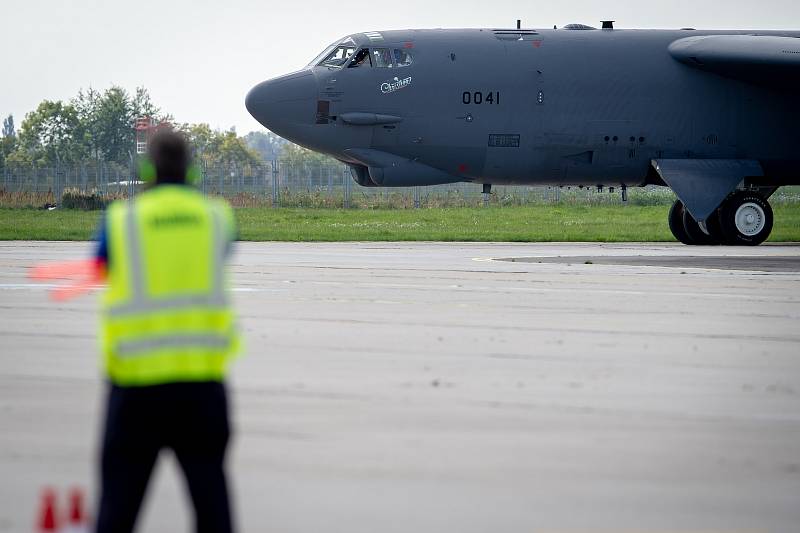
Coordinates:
column 297, row 184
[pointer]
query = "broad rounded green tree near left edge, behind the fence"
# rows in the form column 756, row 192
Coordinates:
column 51, row 133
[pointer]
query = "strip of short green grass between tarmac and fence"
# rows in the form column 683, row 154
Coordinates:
column 529, row 223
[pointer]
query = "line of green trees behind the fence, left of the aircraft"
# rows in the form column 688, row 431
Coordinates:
column 99, row 126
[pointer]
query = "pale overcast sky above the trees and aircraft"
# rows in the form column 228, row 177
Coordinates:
column 198, row 58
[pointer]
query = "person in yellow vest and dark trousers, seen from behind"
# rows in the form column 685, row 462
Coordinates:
column 168, row 333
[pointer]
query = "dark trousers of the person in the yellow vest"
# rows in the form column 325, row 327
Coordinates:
column 189, row 418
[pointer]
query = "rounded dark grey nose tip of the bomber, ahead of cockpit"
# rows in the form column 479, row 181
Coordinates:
column 283, row 101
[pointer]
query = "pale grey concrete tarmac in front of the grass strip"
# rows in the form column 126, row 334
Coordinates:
column 431, row 387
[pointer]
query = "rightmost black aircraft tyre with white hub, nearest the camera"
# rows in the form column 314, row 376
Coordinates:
column 746, row 218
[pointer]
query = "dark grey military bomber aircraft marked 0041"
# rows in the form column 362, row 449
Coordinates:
column 714, row 115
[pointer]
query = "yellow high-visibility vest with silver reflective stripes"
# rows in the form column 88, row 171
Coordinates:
column 166, row 315
